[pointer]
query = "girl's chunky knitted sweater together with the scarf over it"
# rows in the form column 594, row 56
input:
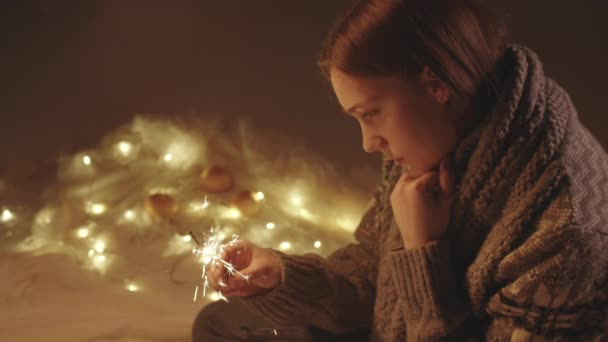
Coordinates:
column 526, row 251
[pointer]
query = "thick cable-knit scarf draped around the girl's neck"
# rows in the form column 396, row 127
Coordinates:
column 504, row 171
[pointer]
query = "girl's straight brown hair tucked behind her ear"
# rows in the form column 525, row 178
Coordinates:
column 460, row 40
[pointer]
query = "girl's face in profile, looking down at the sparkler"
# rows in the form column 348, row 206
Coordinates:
column 407, row 121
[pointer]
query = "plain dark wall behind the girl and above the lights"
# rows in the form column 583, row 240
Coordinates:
column 70, row 71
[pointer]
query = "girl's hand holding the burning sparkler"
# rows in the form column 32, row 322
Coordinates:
column 260, row 267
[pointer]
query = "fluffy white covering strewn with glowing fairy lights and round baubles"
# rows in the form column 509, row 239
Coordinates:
column 108, row 255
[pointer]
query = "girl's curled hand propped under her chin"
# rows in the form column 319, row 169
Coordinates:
column 422, row 206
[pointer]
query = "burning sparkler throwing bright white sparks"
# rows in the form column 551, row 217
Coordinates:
column 209, row 253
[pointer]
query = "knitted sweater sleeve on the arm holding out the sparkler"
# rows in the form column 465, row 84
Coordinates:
column 335, row 294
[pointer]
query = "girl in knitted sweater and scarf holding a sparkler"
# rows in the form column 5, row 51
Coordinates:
column 490, row 221
